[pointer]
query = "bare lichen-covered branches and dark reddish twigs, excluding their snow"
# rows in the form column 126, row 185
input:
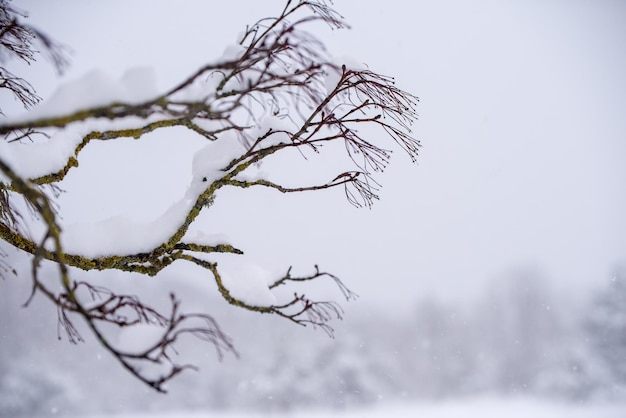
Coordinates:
column 274, row 97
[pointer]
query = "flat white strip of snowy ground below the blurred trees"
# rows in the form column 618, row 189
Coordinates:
column 483, row 408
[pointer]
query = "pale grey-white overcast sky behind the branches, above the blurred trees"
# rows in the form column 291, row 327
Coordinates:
column 522, row 121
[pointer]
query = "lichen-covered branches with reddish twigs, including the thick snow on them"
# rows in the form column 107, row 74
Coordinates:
column 276, row 90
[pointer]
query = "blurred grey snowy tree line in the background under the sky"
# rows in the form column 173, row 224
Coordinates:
column 519, row 338
